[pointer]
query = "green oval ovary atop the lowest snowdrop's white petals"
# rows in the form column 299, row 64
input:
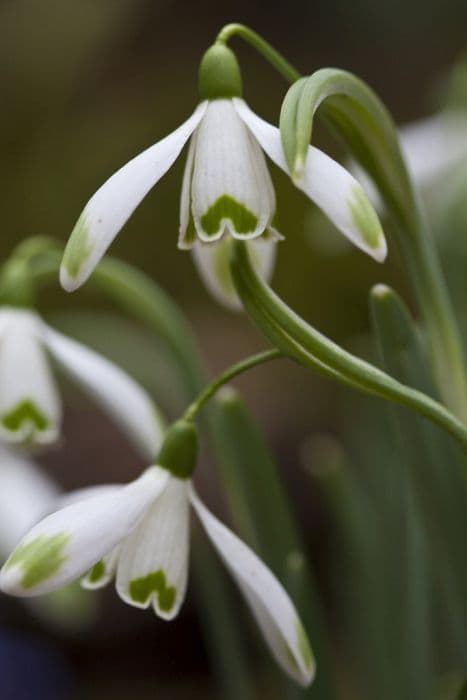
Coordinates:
column 179, row 450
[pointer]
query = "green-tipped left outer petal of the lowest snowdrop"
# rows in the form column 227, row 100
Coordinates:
column 68, row 543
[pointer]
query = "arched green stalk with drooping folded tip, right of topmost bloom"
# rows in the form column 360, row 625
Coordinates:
column 360, row 119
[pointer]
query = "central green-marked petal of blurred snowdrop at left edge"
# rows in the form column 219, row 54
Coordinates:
column 30, row 409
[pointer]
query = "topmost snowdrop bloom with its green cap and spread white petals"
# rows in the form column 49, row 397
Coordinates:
column 227, row 190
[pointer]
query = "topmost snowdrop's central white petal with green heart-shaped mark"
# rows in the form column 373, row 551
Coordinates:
column 231, row 185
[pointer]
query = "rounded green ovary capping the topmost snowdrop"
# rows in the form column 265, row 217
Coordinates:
column 219, row 74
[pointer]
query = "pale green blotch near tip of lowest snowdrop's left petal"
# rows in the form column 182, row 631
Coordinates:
column 40, row 558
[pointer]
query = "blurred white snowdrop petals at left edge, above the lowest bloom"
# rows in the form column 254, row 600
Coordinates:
column 30, row 407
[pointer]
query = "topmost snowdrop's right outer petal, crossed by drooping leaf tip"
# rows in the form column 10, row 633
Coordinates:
column 327, row 184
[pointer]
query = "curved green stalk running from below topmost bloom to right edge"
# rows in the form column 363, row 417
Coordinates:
column 257, row 295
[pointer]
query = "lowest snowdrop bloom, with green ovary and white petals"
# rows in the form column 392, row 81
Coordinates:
column 139, row 533
